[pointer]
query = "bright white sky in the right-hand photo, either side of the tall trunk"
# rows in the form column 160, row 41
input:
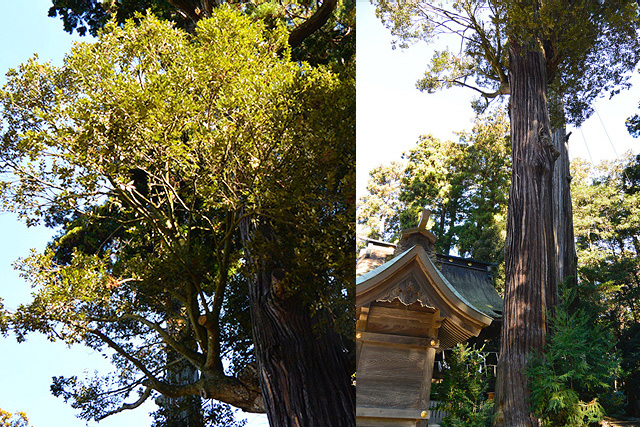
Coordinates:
column 392, row 113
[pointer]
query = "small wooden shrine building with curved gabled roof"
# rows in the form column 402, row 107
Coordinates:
column 408, row 308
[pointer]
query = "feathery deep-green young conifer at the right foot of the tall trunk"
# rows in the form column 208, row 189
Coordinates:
column 579, row 364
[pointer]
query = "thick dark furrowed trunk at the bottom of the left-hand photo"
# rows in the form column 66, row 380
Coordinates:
column 303, row 368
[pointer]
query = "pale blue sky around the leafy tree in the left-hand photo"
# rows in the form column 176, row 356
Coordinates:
column 26, row 369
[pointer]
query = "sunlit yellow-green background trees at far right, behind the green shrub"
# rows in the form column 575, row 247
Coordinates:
column 607, row 230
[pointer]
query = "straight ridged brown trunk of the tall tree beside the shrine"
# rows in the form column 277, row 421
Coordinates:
column 530, row 247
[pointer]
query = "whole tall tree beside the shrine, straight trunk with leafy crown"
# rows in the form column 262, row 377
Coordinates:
column 519, row 48
